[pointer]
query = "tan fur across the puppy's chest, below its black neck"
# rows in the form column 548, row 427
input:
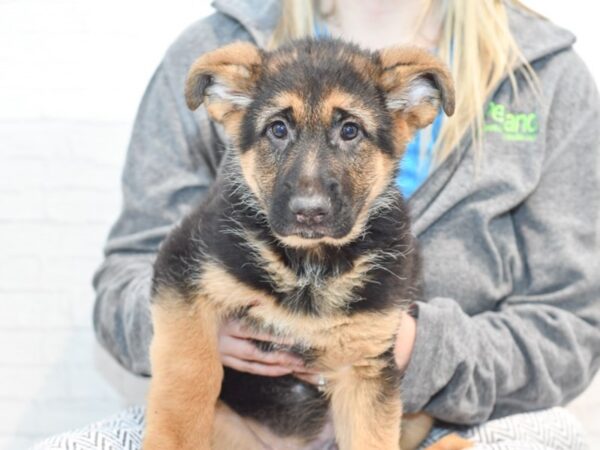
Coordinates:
column 336, row 338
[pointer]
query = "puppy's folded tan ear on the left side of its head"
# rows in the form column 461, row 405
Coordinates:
column 224, row 79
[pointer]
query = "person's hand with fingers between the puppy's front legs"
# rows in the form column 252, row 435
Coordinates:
column 239, row 352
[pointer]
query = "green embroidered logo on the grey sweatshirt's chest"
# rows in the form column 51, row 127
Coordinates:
column 512, row 126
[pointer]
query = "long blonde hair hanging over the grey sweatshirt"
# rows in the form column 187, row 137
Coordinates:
column 475, row 42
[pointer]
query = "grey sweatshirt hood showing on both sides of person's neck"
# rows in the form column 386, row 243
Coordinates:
column 536, row 36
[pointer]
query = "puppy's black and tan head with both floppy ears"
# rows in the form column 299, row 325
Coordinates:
column 319, row 126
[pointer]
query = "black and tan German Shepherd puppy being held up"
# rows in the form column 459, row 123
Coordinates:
column 303, row 235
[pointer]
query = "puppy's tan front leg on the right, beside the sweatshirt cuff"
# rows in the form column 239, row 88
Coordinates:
column 366, row 406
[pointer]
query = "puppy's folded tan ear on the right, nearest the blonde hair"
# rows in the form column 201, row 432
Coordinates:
column 415, row 84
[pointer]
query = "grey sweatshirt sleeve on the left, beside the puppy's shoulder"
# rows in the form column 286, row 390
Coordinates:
column 168, row 169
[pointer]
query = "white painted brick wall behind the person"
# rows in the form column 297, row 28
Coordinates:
column 71, row 75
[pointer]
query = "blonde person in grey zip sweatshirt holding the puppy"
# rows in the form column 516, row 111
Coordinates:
column 504, row 198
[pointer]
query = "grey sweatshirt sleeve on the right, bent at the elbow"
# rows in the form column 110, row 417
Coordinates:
column 541, row 346
